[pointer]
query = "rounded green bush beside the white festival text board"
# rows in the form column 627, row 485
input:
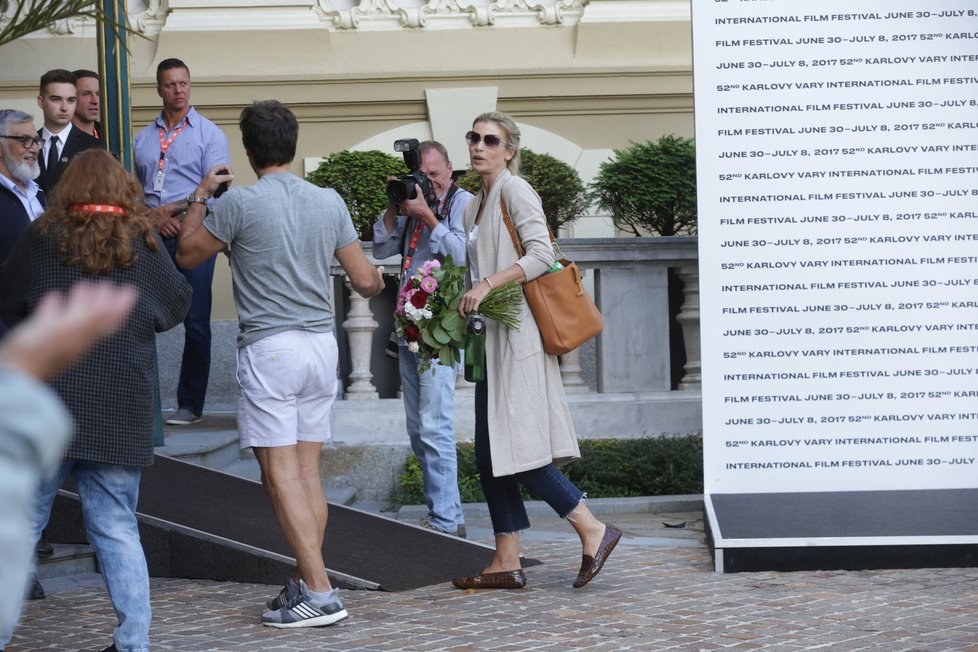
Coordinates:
column 650, row 187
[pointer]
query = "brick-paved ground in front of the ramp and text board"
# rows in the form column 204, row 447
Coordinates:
column 654, row 594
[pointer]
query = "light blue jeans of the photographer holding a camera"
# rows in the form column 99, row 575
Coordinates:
column 429, row 407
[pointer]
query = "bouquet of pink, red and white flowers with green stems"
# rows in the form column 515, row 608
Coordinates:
column 427, row 311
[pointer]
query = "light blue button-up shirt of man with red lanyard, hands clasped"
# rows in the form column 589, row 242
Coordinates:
column 198, row 147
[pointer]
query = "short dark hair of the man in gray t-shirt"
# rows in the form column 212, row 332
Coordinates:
column 269, row 132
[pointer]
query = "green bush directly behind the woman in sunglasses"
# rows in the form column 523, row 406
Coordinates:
column 561, row 190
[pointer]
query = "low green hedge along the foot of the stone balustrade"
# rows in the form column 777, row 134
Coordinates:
column 660, row 466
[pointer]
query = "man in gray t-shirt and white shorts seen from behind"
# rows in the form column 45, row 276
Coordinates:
column 281, row 235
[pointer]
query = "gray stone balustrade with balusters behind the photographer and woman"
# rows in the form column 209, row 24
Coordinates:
column 640, row 377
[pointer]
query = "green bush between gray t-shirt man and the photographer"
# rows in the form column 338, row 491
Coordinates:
column 361, row 180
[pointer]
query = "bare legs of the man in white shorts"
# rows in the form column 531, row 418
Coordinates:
column 301, row 518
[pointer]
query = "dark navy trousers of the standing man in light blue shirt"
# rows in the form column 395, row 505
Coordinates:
column 196, row 365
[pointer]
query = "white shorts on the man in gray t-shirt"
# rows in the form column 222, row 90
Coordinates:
column 286, row 387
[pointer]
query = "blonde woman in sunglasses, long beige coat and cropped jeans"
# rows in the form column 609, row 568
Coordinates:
column 523, row 425
